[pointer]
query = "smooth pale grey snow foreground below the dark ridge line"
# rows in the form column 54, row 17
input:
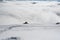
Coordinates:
column 33, row 32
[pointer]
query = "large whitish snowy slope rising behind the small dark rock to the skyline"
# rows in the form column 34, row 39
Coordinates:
column 41, row 12
